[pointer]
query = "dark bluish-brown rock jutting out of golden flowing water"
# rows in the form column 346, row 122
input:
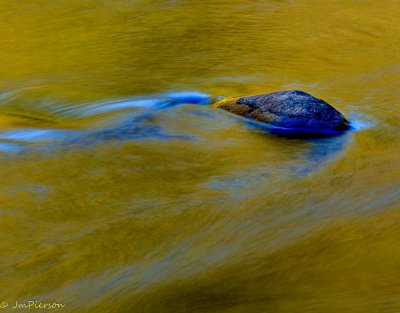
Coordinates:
column 291, row 109
